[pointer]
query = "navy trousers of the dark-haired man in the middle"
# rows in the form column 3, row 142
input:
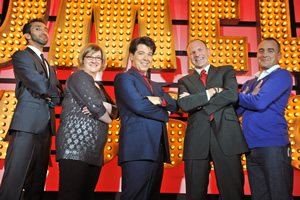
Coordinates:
column 141, row 179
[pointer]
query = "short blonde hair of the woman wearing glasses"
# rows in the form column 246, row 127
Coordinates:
column 91, row 48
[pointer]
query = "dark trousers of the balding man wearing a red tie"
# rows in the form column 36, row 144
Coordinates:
column 228, row 170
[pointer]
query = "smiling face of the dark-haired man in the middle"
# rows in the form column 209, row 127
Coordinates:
column 142, row 58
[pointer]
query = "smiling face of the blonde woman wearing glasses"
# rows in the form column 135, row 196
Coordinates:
column 92, row 63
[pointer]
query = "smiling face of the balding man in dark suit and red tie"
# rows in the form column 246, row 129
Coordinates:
column 198, row 54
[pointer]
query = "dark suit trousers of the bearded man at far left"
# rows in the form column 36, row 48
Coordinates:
column 26, row 166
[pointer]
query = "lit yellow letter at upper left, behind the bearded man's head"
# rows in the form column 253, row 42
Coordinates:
column 18, row 13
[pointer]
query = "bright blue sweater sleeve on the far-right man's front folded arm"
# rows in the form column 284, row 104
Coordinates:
column 270, row 90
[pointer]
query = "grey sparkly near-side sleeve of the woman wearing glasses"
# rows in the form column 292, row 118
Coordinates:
column 83, row 89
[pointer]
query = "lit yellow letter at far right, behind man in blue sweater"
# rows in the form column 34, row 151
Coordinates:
column 274, row 21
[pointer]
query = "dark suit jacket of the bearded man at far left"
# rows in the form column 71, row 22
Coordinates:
column 33, row 113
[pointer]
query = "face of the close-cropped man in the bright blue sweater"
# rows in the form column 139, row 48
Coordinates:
column 268, row 54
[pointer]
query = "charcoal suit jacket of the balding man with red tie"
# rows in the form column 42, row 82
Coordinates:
column 229, row 133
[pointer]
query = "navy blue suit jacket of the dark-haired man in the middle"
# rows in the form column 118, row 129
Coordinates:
column 142, row 123
